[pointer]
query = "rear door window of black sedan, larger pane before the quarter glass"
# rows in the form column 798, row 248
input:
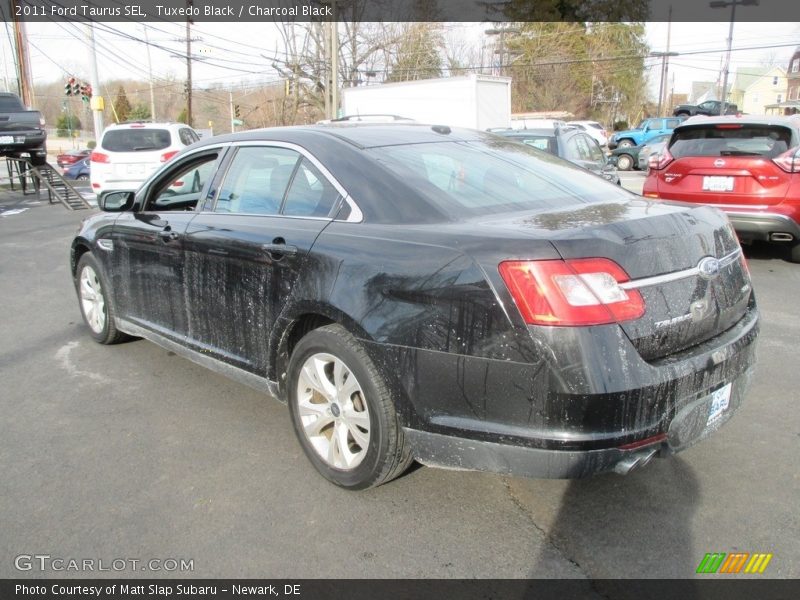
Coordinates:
column 257, row 180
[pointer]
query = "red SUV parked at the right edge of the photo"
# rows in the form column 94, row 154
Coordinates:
column 747, row 166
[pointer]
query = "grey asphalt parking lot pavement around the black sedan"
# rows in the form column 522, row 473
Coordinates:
column 131, row 452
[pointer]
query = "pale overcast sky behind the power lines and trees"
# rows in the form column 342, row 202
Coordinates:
column 242, row 51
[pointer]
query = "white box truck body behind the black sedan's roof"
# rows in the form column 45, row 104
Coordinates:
column 475, row 101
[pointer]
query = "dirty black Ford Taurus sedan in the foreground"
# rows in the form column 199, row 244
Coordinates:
column 418, row 292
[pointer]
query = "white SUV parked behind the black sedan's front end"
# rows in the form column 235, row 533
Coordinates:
column 129, row 152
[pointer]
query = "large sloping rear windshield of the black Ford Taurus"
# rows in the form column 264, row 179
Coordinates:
column 491, row 176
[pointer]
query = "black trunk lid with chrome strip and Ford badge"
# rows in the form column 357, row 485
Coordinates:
column 660, row 246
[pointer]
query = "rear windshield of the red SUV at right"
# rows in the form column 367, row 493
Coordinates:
column 737, row 140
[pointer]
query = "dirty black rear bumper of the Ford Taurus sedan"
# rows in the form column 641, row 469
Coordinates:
column 664, row 408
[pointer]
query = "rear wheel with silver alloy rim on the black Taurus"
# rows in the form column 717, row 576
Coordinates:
column 342, row 411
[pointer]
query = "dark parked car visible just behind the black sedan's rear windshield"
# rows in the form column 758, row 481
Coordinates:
column 569, row 143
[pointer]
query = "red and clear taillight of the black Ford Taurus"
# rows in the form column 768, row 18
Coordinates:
column 571, row 293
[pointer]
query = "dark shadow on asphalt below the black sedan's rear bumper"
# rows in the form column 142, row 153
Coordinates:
column 636, row 526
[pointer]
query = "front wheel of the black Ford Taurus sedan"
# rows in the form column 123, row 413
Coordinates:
column 95, row 303
